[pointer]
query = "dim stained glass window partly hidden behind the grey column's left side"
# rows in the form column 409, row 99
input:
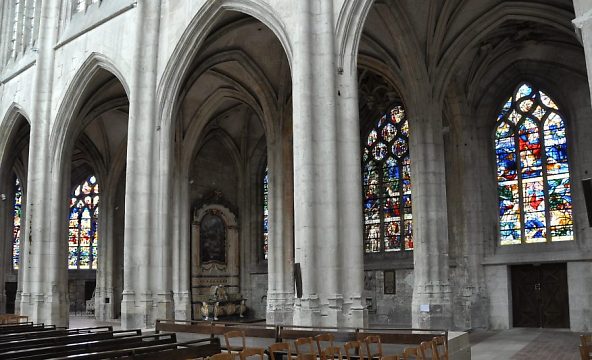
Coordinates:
column 388, row 224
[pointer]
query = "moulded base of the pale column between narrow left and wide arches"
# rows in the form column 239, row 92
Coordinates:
column 137, row 311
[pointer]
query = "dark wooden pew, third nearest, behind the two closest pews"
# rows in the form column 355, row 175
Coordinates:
column 67, row 339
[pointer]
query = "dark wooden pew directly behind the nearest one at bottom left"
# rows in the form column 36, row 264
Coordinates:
column 41, row 353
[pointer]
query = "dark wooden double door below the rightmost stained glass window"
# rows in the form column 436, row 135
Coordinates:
column 539, row 296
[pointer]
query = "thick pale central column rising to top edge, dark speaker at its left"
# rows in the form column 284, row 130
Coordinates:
column 315, row 164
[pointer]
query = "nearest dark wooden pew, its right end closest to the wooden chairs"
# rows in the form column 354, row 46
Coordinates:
column 178, row 351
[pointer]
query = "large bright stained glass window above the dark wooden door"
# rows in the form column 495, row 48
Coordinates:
column 534, row 189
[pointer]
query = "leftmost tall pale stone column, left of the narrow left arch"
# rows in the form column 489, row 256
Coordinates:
column 44, row 291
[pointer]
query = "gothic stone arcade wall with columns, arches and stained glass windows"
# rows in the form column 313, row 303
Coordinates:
column 422, row 163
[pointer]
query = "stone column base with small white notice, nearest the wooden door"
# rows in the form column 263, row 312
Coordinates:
column 431, row 307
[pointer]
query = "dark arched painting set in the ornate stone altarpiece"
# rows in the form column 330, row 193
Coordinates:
column 212, row 235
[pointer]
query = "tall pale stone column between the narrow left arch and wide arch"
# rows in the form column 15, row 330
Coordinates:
column 141, row 272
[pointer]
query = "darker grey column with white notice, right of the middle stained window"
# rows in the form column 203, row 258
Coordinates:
column 431, row 292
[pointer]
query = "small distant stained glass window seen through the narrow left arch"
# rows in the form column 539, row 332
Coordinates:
column 82, row 234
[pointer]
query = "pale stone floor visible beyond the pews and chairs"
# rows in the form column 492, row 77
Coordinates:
column 513, row 344
